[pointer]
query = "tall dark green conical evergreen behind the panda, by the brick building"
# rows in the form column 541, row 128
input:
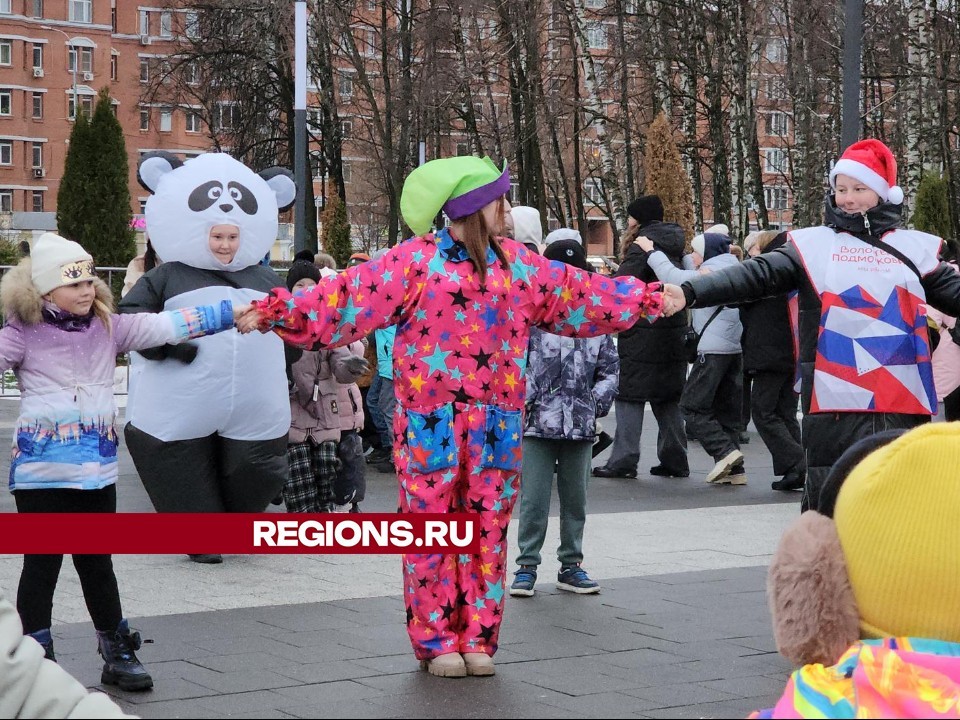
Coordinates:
column 93, row 205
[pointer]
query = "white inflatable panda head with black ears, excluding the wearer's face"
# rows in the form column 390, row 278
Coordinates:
column 188, row 199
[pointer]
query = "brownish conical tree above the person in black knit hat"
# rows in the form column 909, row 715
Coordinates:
column 666, row 176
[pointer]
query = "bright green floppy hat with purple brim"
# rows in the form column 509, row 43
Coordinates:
column 459, row 186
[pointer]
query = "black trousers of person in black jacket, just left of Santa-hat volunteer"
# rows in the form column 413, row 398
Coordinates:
column 774, row 409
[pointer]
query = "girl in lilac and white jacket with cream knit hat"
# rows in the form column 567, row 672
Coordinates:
column 61, row 338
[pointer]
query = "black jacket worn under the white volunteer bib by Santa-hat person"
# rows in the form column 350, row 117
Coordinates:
column 781, row 271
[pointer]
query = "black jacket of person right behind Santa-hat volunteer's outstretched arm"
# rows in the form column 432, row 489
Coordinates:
column 767, row 336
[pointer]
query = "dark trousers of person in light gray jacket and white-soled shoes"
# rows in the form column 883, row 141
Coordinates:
column 711, row 403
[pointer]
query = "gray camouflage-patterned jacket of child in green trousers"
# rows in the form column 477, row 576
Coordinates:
column 570, row 383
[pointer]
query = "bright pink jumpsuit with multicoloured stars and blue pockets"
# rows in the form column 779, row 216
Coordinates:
column 459, row 364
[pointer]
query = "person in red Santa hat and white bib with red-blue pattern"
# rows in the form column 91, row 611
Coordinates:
column 863, row 281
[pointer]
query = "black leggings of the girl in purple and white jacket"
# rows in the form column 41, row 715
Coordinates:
column 38, row 581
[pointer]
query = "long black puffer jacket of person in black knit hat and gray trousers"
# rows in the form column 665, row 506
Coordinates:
column 652, row 364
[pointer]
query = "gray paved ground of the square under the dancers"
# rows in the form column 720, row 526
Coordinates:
column 680, row 629
